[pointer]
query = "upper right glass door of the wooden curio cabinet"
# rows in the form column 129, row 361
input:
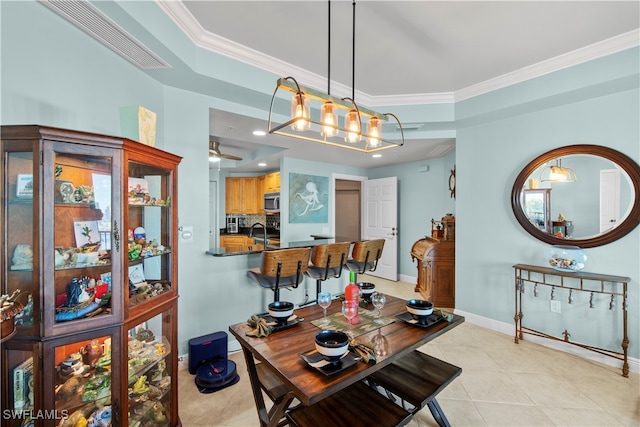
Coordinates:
column 150, row 223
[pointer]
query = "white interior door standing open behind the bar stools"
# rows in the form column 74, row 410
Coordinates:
column 381, row 222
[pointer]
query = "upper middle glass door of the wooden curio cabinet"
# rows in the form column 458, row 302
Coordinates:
column 84, row 219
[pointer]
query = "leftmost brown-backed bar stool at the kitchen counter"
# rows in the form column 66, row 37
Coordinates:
column 281, row 268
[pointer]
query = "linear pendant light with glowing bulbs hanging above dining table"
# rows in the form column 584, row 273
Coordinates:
column 329, row 127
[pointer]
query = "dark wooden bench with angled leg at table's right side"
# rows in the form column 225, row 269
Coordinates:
column 417, row 378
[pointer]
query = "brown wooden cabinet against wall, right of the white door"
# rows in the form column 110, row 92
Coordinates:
column 436, row 270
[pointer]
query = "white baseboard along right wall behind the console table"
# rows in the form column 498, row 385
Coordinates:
column 509, row 329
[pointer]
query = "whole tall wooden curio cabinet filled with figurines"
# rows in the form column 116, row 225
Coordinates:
column 91, row 237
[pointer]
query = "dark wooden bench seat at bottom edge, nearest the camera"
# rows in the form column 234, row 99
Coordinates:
column 355, row 406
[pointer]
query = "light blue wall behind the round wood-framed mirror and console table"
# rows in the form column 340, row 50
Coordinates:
column 490, row 154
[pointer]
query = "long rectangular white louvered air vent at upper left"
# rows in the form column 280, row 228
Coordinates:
column 85, row 16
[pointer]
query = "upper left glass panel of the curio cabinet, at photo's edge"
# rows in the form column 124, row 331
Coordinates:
column 21, row 274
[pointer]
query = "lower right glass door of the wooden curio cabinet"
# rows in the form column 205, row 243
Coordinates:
column 151, row 374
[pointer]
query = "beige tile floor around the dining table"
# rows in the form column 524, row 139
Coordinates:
column 502, row 384
